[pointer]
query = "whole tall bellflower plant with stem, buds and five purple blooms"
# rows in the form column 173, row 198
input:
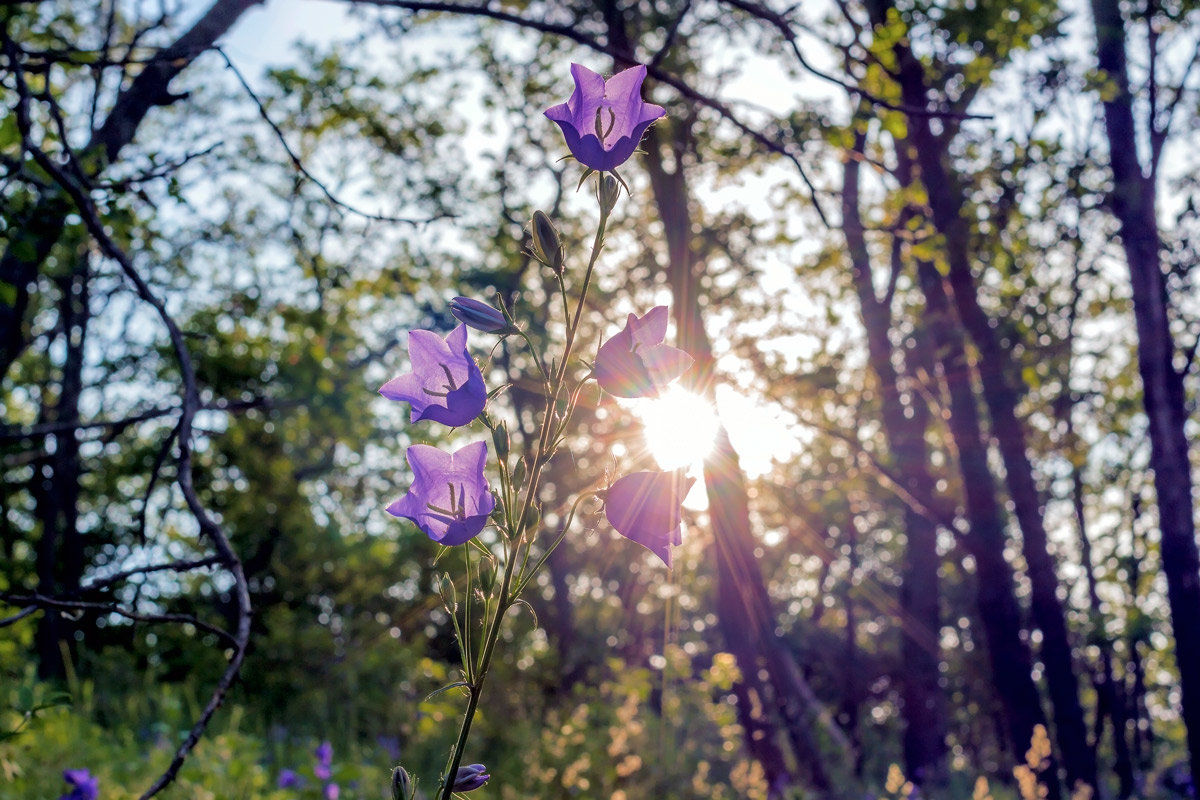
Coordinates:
column 451, row 498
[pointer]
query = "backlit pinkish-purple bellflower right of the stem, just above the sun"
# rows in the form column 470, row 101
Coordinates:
column 635, row 363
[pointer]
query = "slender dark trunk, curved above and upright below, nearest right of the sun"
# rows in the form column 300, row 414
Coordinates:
column 905, row 422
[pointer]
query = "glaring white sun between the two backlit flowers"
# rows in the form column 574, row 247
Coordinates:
column 680, row 428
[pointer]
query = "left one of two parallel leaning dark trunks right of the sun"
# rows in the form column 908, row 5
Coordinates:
column 999, row 611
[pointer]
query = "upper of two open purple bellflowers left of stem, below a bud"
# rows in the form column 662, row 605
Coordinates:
column 446, row 386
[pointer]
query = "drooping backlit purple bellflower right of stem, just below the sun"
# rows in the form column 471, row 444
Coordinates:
column 646, row 508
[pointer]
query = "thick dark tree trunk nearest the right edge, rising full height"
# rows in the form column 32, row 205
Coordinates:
column 1133, row 203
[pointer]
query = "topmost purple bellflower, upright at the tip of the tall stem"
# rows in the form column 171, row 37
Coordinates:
column 604, row 121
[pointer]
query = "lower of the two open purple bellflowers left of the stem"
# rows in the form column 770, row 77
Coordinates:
column 449, row 498
